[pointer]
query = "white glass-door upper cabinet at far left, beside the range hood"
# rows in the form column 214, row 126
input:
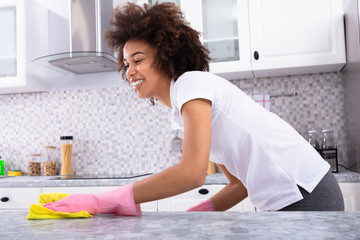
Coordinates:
column 19, row 43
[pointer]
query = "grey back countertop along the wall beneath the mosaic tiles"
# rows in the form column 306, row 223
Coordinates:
column 46, row 181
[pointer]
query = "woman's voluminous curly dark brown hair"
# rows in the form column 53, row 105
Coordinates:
column 177, row 46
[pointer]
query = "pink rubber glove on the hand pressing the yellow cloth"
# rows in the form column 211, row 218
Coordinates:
column 118, row 201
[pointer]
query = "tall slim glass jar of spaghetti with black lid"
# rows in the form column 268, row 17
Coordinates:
column 66, row 152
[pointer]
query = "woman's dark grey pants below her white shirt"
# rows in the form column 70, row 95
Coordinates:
column 326, row 196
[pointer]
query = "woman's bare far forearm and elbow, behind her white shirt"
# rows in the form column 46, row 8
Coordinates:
column 231, row 194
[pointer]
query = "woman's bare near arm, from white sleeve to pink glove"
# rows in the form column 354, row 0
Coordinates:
column 190, row 172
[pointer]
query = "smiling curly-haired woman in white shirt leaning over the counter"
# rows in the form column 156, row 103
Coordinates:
column 262, row 156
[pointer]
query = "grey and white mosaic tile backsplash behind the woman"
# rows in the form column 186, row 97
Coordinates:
column 115, row 133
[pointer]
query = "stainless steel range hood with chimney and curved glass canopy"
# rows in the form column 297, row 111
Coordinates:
column 88, row 52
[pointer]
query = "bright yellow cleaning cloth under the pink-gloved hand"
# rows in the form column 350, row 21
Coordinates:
column 39, row 212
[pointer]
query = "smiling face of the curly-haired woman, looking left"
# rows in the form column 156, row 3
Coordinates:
column 143, row 77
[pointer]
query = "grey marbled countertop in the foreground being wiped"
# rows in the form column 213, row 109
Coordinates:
column 187, row 225
